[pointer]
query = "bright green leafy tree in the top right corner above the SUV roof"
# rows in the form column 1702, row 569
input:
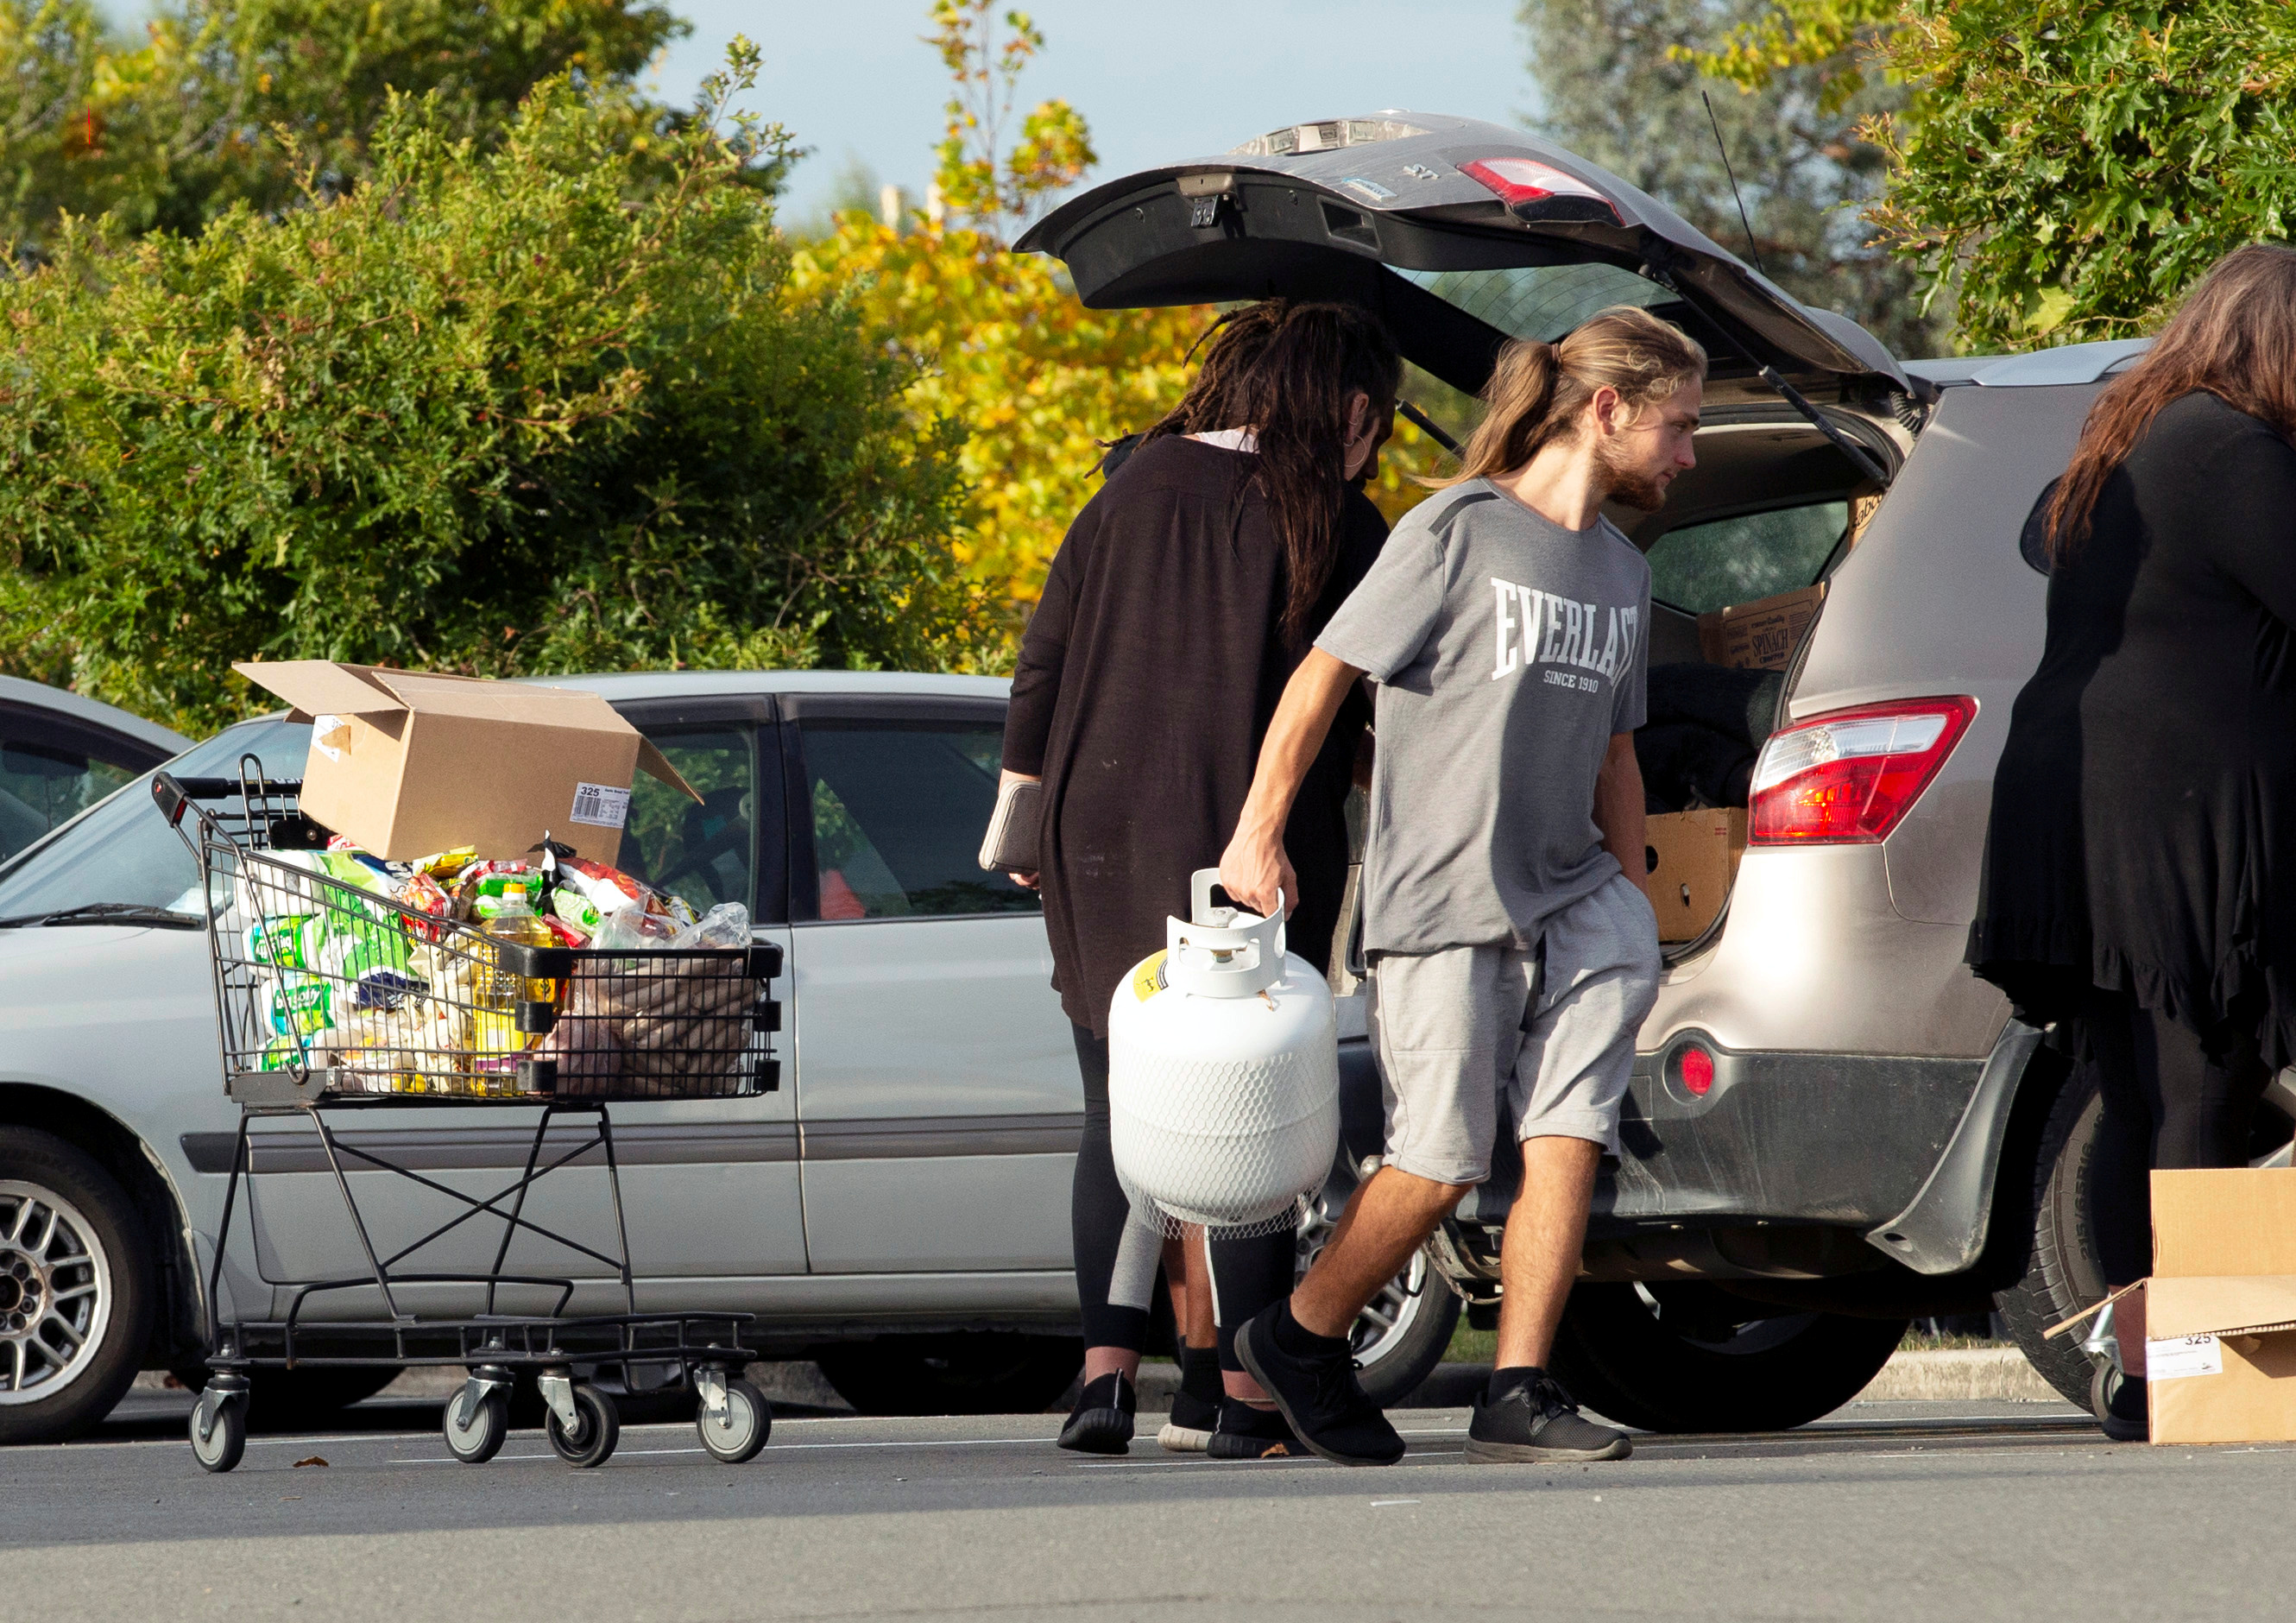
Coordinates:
column 2081, row 164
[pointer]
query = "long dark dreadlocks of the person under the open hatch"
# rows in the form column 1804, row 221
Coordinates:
column 1287, row 371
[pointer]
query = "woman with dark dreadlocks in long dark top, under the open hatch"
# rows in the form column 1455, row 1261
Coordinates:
column 1174, row 612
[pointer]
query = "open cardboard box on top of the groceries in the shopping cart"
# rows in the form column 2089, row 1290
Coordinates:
column 410, row 763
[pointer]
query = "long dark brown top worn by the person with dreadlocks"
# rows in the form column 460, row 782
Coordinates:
column 1145, row 685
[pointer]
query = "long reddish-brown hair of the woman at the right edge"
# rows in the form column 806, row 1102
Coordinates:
column 2235, row 336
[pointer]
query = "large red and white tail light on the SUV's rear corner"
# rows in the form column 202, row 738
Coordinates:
column 1852, row 777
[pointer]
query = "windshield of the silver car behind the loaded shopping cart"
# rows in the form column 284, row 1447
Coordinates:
column 125, row 851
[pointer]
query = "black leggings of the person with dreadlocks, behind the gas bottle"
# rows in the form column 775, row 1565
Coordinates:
column 1248, row 1275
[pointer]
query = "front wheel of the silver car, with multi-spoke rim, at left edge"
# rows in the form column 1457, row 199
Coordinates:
column 77, row 1289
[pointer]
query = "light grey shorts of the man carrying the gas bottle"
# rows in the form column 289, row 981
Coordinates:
column 1551, row 1030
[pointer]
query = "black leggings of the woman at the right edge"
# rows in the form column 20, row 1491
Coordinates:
column 2171, row 1101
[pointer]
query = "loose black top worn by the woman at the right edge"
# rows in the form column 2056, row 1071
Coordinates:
column 2146, row 805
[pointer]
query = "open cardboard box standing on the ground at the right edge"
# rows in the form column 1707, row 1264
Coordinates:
column 2221, row 1307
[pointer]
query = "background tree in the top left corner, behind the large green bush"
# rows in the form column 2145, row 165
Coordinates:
column 171, row 130
